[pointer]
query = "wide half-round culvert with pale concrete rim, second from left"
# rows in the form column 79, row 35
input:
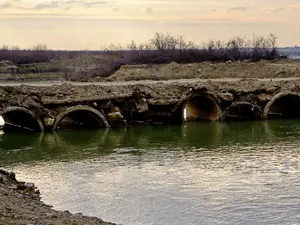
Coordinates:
column 80, row 116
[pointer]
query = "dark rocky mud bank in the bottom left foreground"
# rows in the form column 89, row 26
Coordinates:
column 20, row 203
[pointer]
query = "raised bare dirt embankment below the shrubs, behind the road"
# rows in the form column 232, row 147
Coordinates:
column 209, row 70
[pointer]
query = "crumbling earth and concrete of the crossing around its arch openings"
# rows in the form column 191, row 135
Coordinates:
column 145, row 102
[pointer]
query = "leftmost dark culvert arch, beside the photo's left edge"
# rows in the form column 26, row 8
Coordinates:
column 19, row 118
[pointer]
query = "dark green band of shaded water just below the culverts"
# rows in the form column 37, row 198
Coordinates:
column 82, row 144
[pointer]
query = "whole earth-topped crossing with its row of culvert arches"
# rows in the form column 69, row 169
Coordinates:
column 46, row 107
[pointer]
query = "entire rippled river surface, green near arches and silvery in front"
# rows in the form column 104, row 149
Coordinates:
column 197, row 173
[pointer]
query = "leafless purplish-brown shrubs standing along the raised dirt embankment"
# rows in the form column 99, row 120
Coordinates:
column 164, row 48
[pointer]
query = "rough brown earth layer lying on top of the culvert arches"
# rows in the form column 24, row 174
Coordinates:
column 156, row 93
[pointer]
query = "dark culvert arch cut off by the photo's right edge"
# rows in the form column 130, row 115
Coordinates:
column 283, row 105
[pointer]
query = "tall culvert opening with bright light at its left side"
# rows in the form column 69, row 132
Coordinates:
column 200, row 107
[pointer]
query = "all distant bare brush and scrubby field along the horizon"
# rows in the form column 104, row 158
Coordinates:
column 162, row 48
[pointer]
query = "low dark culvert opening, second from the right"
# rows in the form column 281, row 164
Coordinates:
column 242, row 111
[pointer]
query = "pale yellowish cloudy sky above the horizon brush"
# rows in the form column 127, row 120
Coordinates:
column 92, row 24
